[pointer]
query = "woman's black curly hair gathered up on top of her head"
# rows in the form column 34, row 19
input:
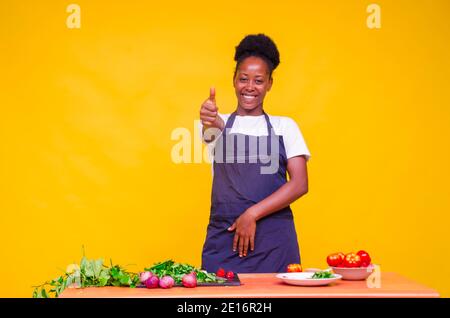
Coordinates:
column 259, row 45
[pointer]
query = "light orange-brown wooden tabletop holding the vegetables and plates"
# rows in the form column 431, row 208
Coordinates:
column 267, row 285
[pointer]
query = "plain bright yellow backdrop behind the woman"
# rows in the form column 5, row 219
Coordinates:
column 86, row 119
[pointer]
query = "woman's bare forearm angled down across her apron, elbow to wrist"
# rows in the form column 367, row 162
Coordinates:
column 285, row 195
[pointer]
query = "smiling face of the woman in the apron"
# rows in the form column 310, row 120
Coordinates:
column 251, row 83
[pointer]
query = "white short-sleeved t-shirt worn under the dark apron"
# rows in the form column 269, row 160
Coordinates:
column 294, row 142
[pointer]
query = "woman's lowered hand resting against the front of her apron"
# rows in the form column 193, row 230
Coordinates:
column 245, row 227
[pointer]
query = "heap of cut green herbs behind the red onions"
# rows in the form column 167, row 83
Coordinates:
column 178, row 270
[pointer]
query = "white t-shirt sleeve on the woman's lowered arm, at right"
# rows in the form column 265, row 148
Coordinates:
column 293, row 140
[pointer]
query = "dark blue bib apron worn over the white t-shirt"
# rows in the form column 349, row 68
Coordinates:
column 236, row 187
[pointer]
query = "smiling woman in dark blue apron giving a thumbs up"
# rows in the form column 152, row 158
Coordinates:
column 251, row 227
